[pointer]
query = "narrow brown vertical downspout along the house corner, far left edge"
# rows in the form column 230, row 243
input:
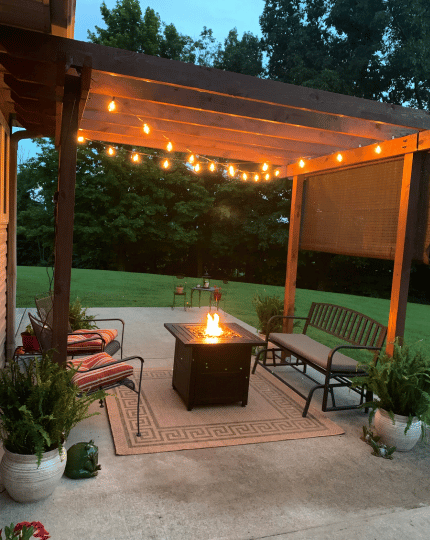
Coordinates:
column 11, row 241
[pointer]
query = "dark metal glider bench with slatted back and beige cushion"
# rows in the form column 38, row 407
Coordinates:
column 299, row 350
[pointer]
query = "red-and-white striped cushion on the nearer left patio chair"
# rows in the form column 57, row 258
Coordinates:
column 92, row 380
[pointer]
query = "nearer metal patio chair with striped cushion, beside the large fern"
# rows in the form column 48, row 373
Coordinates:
column 97, row 371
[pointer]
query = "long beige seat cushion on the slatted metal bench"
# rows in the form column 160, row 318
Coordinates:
column 313, row 351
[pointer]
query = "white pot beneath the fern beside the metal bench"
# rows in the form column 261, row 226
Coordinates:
column 394, row 434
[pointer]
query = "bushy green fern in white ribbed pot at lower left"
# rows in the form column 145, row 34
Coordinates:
column 39, row 405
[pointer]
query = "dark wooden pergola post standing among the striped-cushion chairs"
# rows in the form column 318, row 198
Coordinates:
column 64, row 217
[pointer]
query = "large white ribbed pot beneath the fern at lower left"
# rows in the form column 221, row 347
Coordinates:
column 25, row 481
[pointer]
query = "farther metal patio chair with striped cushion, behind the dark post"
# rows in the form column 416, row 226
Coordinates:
column 103, row 340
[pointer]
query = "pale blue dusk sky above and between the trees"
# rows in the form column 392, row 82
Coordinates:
column 189, row 17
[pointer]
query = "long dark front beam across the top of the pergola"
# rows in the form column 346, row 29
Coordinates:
column 33, row 46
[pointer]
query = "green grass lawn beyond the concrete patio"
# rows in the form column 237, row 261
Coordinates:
column 101, row 288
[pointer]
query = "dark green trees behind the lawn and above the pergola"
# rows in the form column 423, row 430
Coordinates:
column 138, row 218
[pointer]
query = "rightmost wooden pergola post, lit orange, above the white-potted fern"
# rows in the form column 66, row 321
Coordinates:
column 406, row 231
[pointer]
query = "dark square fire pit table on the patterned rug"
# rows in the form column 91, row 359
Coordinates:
column 209, row 370
